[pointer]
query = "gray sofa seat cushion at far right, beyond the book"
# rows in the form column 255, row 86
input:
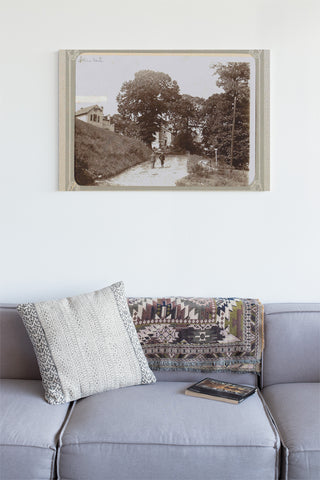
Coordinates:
column 296, row 410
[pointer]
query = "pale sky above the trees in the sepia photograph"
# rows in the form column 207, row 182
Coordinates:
column 99, row 77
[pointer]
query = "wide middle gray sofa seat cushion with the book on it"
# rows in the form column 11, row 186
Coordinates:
column 157, row 432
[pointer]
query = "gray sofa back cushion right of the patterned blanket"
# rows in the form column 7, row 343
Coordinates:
column 292, row 339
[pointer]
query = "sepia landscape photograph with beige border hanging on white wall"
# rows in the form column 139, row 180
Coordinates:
column 164, row 120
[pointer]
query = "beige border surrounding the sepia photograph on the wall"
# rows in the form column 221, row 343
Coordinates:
column 67, row 74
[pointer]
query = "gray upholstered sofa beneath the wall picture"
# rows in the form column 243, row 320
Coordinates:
column 155, row 432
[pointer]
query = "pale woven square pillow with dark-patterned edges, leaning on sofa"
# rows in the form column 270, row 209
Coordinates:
column 85, row 344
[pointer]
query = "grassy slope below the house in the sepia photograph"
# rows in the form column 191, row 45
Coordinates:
column 101, row 154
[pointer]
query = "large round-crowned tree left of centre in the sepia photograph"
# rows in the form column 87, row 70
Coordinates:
column 148, row 101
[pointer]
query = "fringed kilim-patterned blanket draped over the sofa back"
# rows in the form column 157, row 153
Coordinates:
column 200, row 334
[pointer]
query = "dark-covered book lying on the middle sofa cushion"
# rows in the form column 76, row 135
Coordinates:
column 221, row 391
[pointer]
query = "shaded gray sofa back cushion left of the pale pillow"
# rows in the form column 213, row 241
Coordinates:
column 17, row 358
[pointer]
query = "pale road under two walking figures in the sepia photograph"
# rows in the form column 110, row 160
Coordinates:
column 143, row 175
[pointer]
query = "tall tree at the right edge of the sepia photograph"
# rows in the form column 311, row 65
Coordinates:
column 234, row 79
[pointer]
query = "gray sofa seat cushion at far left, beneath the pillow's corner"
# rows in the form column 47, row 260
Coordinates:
column 29, row 431
